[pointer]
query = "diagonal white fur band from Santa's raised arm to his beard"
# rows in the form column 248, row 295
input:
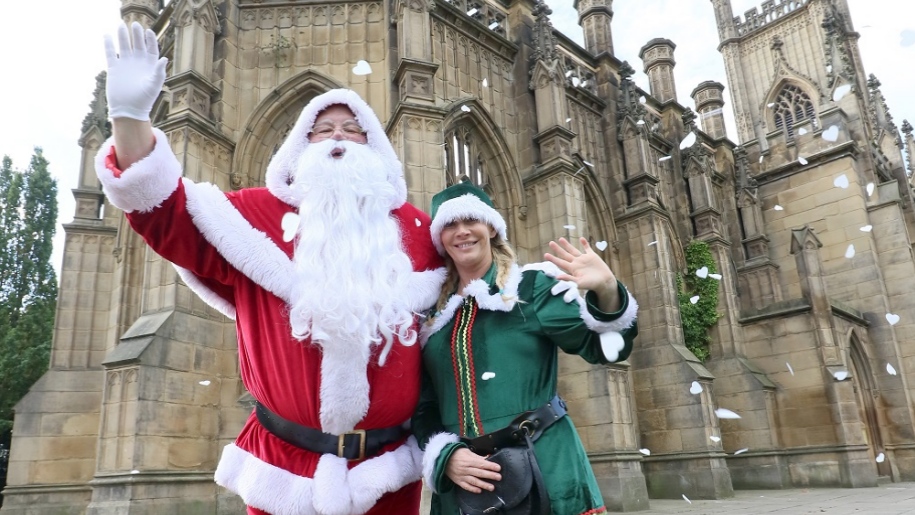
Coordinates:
column 244, row 247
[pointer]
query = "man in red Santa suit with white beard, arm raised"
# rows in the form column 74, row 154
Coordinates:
column 322, row 271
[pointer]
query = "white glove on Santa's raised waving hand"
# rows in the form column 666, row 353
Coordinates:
column 136, row 75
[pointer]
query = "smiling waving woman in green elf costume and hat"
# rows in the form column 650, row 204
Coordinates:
column 490, row 361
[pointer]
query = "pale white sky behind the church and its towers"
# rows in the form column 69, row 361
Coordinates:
column 52, row 50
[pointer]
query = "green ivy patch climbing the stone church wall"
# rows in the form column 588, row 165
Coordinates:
column 699, row 317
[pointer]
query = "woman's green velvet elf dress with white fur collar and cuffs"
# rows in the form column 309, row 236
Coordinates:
column 490, row 356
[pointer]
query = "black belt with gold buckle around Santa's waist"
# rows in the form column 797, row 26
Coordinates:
column 352, row 445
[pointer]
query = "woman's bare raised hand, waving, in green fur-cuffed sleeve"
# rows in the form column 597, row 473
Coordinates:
column 586, row 269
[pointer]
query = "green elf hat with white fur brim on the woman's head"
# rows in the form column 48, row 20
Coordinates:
column 460, row 202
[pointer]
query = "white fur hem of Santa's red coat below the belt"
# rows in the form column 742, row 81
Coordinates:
column 334, row 489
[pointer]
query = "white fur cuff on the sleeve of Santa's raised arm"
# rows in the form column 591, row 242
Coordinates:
column 145, row 184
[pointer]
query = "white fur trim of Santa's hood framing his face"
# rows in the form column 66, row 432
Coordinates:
column 283, row 165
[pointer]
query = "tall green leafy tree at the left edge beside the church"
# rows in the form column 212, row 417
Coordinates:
column 28, row 284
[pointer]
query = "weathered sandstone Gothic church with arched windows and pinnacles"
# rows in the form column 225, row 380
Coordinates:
column 143, row 389
